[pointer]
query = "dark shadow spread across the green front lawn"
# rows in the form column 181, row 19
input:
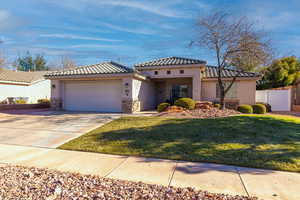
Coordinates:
column 241, row 140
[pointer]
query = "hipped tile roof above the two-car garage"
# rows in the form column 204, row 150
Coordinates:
column 101, row 68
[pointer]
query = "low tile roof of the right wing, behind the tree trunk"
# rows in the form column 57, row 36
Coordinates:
column 212, row 72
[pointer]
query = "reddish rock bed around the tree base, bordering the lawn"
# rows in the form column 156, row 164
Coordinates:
column 200, row 113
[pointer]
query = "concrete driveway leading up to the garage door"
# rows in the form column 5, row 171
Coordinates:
column 47, row 128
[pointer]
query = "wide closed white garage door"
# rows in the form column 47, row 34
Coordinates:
column 99, row 96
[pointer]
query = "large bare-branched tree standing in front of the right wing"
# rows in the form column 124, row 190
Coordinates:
column 236, row 43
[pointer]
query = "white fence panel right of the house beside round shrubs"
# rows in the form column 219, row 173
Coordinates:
column 280, row 100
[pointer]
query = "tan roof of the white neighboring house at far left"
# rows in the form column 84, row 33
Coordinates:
column 20, row 76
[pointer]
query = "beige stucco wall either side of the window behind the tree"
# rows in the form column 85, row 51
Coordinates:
column 246, row 91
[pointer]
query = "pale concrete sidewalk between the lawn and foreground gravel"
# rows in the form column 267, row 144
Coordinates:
column 265, row 184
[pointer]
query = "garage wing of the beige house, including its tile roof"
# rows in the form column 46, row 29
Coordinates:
column 103, row 87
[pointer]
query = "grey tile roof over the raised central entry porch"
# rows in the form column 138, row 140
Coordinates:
column 170, row 61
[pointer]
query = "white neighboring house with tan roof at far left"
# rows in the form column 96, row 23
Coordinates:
column 27, row 85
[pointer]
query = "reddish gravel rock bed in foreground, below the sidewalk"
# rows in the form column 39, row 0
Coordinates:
column 32, row 183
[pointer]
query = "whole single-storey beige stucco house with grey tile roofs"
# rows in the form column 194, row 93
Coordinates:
column 111, row 87
